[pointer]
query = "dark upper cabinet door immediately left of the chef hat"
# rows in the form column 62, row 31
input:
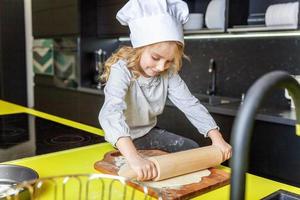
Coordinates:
column 108, row 25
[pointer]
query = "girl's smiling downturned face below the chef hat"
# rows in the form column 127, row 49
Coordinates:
column 157, row 58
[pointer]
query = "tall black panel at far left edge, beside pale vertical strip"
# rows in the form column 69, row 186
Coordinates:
column 12, row 52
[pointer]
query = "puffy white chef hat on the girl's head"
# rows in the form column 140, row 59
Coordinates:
column 152, row 21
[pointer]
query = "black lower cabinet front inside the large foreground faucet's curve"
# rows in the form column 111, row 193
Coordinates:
column 274, row 152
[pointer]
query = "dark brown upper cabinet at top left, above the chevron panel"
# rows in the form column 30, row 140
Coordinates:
column 64, row 18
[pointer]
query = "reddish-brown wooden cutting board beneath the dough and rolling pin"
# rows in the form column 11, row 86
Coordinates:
column 216, row 179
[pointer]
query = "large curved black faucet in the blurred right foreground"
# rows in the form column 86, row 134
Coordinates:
column 243, row 124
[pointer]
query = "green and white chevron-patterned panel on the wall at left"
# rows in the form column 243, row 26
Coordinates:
column 58, row 58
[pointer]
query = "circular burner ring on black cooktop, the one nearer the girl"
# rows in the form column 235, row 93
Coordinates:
column 67, row 139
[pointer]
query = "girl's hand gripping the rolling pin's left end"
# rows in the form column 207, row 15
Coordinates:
column 144, row 168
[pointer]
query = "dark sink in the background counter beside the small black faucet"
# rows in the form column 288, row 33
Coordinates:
column 216, row 100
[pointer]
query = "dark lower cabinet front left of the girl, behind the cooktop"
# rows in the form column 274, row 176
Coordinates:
column 75, row 105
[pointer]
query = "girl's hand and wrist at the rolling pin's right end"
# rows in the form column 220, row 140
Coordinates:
column 217, row 140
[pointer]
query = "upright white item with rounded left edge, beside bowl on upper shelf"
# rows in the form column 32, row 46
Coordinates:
column 215, row 14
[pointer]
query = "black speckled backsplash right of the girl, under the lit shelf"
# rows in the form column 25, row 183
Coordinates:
column 239, row 62
